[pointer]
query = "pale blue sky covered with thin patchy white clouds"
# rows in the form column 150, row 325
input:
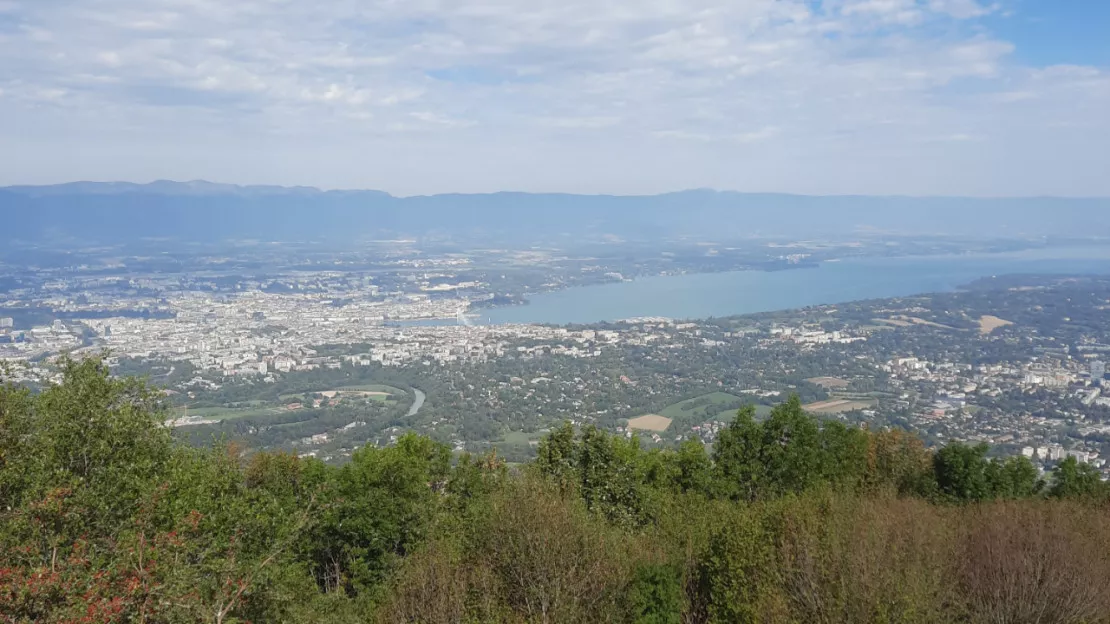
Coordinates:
column 629, row 97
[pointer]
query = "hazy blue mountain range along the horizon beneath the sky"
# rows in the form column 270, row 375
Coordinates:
column 209, row 213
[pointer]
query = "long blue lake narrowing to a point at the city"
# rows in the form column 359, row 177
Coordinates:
column 743, row 293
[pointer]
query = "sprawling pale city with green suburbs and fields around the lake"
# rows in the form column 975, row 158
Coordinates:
column 324, row 360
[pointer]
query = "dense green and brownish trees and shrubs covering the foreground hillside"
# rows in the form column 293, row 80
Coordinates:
column 105, row 519
